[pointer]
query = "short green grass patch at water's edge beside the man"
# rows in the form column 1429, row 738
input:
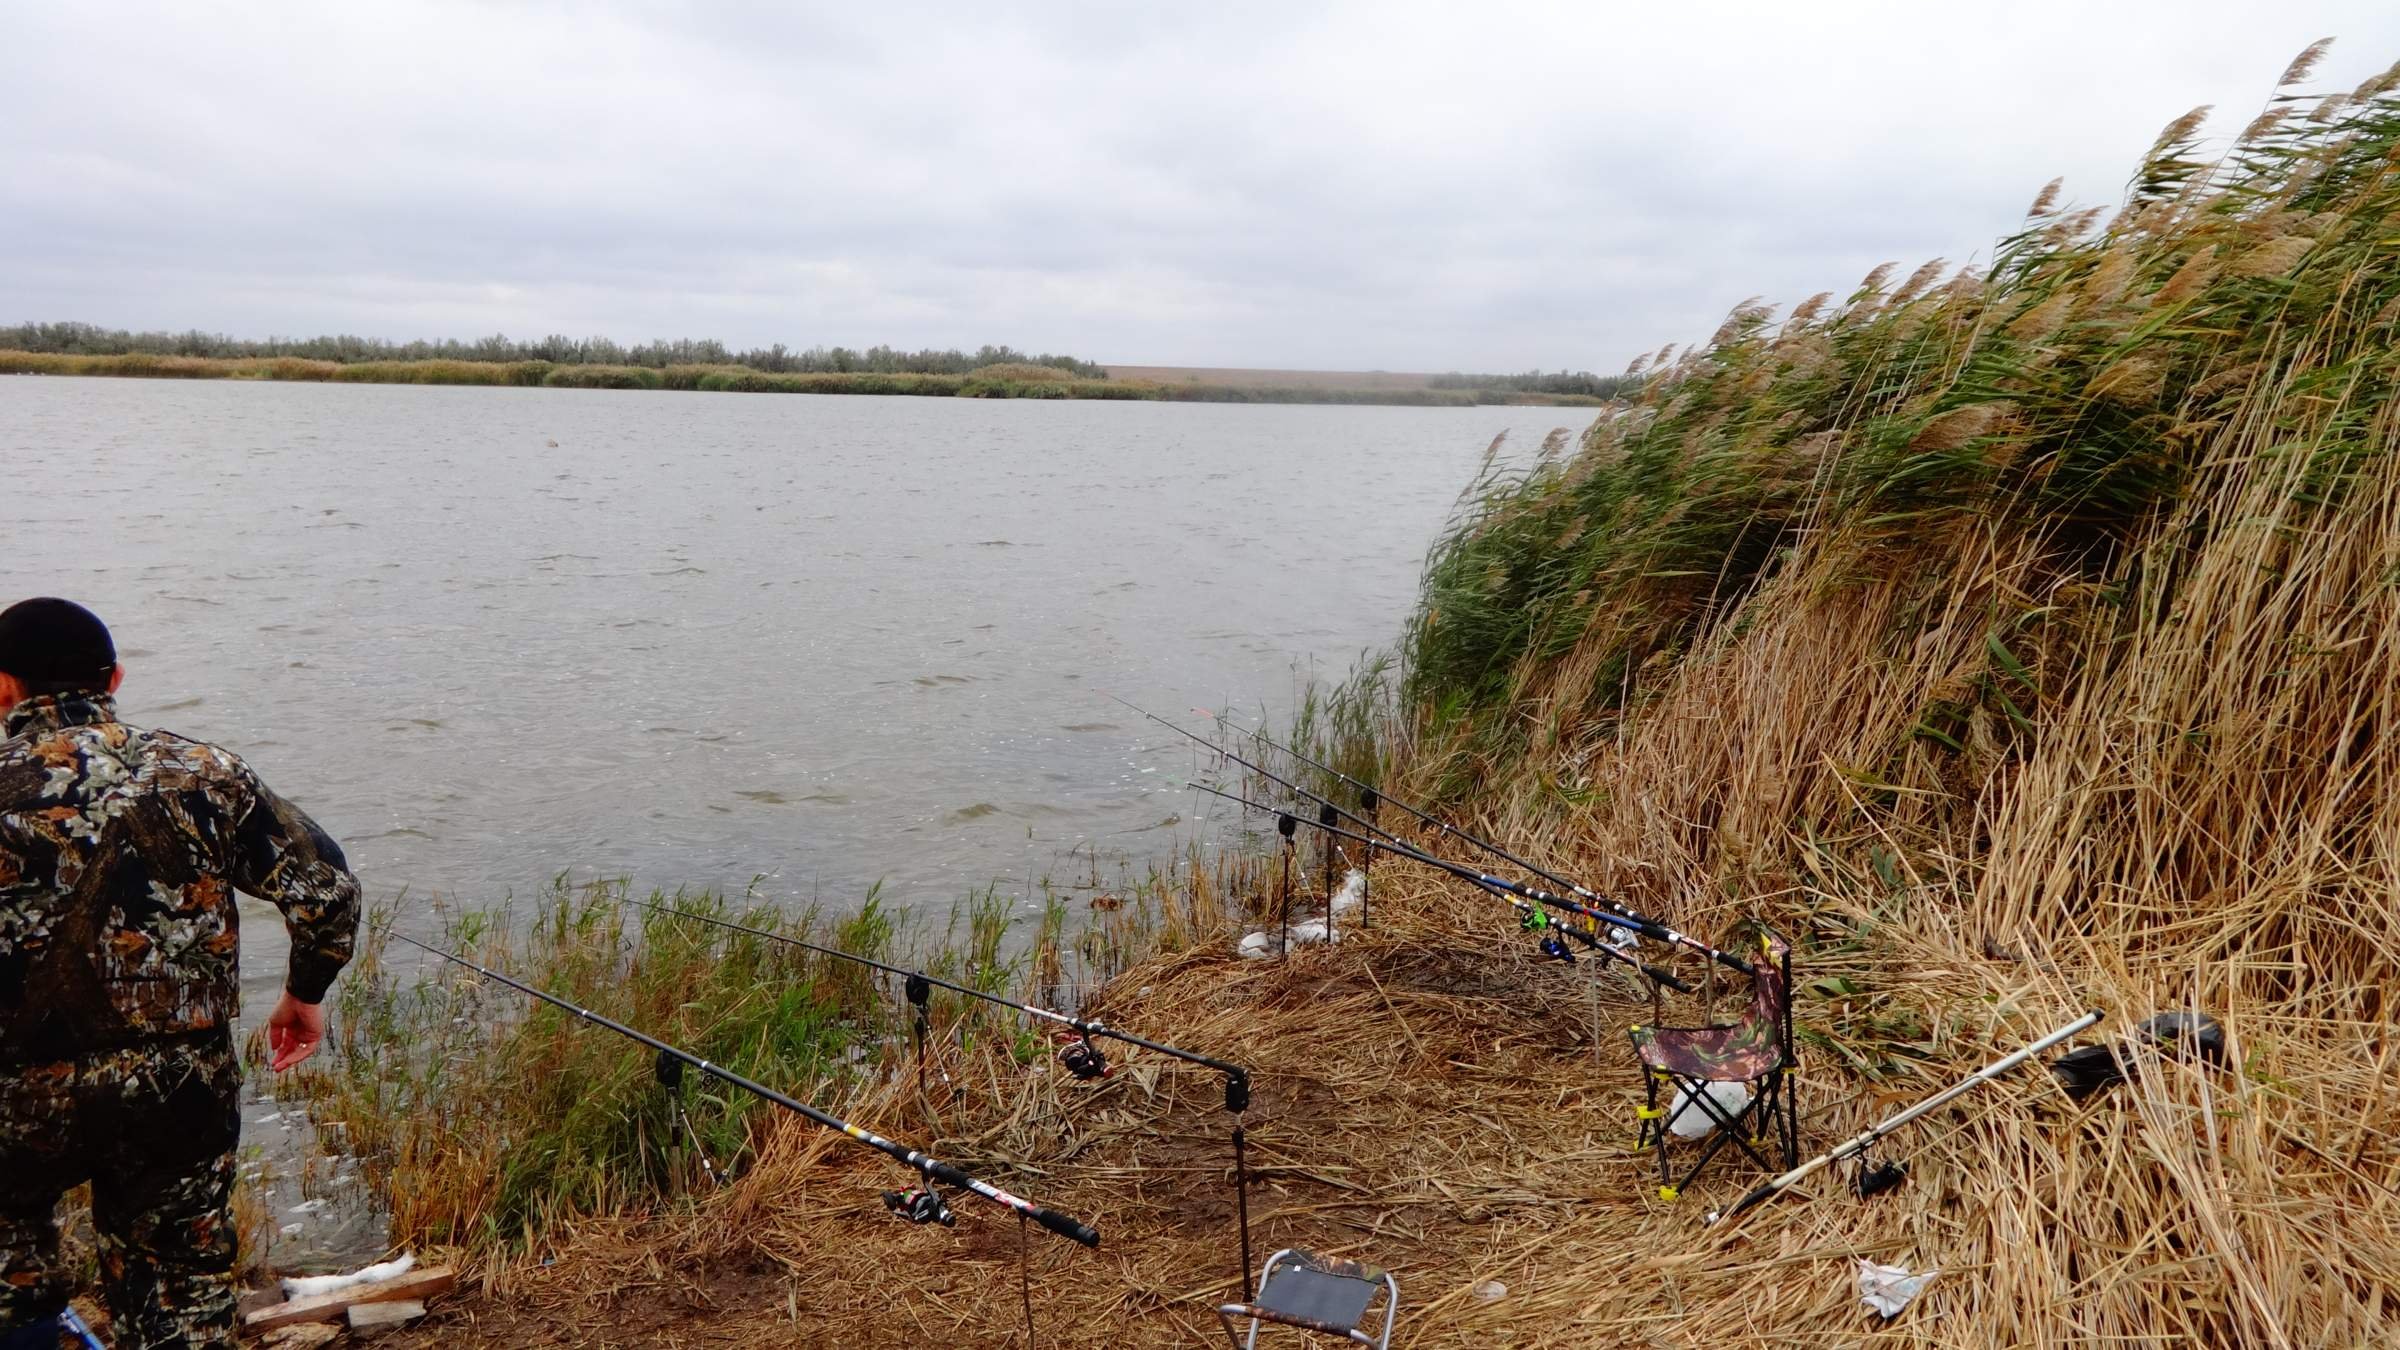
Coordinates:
column 484, row 1116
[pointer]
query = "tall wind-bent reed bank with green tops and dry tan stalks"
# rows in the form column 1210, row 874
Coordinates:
column 2022, row 638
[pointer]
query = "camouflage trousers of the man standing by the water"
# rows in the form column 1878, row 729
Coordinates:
column 152, row 1128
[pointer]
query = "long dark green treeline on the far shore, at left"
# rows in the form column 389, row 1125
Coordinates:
column 347, row 350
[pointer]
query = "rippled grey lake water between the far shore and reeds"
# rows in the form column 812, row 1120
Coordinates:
column 498, row 635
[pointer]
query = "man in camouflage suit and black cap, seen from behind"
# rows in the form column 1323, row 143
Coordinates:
column 121, row 852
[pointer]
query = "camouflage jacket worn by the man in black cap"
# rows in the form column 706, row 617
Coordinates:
column 121, row 852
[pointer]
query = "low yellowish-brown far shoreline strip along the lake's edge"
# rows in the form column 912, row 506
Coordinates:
column 990, row 383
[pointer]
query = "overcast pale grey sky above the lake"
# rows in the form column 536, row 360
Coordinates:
column 1307, row 186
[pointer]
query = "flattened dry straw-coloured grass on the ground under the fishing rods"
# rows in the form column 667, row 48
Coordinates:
column 1434, row 1101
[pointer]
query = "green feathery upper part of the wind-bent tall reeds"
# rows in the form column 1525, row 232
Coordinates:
column 2108, row 371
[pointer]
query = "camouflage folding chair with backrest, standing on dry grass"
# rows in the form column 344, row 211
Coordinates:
column 1758, row 1053
